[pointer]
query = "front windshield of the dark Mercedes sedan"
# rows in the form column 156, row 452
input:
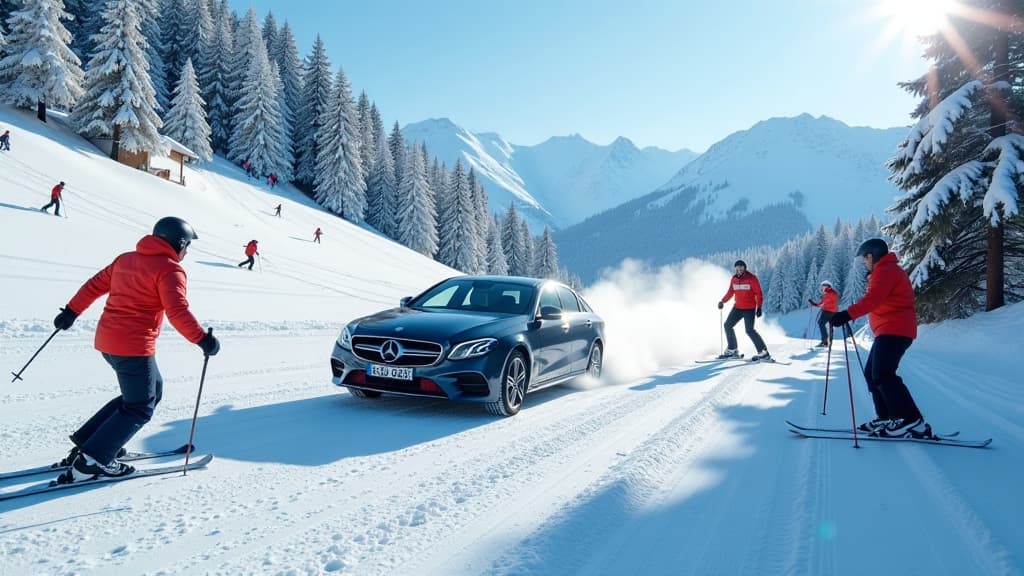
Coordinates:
column 478, row 296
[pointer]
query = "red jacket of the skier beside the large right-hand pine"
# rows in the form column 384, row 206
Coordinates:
column 889, row 301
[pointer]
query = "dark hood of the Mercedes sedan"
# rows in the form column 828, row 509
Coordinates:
column 435, row 325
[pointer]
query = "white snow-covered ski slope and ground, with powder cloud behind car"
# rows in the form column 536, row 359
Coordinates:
column 667, row 467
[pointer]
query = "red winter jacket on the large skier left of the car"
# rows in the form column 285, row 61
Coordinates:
column 142, row 287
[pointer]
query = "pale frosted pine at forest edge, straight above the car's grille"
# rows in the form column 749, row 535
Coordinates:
column 417, row 216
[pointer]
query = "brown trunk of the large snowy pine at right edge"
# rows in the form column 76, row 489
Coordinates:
column 998, row 128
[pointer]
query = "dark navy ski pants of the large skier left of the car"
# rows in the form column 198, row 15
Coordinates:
column 110, row 429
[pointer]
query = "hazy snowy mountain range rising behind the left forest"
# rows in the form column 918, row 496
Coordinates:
column 558, row 183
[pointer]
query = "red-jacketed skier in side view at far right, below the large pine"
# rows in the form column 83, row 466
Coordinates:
column 889, row 302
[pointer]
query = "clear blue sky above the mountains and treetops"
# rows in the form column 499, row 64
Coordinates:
column 668, row 73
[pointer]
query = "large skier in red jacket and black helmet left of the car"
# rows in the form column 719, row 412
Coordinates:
column 142, row 287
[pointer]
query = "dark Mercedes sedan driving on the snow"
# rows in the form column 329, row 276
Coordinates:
column 477, row 339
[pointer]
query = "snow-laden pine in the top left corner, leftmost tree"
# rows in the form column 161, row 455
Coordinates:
column 38, row 68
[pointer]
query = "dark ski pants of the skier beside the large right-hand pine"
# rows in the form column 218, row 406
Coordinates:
column 891, row 397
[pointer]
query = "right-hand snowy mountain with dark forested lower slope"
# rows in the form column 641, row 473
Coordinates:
column 761, row 186
